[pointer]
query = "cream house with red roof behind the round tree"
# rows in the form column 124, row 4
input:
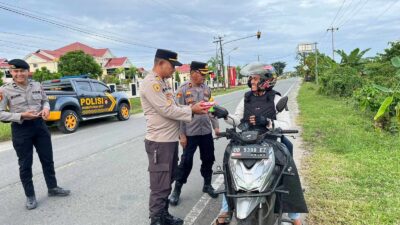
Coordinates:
column 103, row 56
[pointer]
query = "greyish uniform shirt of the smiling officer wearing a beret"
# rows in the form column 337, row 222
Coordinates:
column 15, row 100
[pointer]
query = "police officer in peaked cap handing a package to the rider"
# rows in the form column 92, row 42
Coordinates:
column 162, row 115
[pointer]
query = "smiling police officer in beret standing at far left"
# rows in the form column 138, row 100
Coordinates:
column 25, row 104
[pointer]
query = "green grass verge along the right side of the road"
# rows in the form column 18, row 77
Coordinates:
column 353, row 171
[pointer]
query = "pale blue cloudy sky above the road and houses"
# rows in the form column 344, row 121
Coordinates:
column 137, row 28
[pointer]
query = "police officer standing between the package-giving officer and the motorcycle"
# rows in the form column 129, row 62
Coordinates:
column 197, row 133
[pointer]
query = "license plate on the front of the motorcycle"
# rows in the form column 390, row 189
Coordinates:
column 248, row 152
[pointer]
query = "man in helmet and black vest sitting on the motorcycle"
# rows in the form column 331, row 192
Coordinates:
column 258, row 109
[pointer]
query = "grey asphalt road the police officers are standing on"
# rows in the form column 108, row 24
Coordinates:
column 105, row 166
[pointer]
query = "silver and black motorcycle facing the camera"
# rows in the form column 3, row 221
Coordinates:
column 255, row 164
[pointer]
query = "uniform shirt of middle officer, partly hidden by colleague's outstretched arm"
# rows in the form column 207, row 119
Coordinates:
column 201, row 124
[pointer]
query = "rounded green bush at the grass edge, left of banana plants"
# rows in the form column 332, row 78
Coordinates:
column 340, row 81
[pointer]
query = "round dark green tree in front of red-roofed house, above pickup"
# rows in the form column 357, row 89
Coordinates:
column 78, row 63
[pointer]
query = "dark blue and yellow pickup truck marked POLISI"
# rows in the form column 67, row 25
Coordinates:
column 73, row 100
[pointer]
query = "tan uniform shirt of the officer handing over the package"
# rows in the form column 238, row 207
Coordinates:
column 161, row 111
